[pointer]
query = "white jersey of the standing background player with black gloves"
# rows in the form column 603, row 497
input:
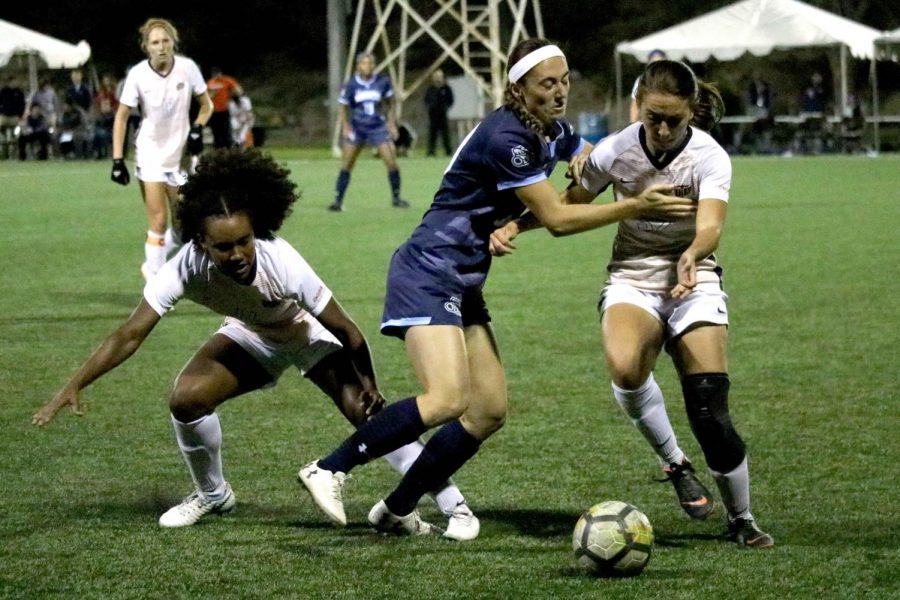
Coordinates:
column 164, row 101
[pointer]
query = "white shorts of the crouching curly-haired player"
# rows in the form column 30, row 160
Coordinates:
column 302, row 344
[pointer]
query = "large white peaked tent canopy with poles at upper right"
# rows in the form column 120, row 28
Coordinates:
column 757, row 27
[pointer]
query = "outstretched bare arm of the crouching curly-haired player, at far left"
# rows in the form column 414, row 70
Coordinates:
column 114, row 350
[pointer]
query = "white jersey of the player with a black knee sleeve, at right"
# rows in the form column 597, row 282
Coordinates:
column 646, row 251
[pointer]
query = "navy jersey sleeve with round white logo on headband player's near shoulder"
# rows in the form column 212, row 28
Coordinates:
column 514, row 158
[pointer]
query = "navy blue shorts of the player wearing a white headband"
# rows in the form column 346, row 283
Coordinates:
column 416, row 296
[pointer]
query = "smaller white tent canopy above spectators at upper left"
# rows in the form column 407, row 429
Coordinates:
column 56, row 54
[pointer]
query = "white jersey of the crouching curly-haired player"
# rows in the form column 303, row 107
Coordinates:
column 285, row 287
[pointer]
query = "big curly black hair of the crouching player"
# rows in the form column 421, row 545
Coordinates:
column 233, row 180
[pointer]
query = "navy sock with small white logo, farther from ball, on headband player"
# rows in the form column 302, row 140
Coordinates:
column 396, row 425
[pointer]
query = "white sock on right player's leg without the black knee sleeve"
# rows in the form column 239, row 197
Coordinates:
column 647, row 410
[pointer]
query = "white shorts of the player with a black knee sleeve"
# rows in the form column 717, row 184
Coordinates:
column 706, row 304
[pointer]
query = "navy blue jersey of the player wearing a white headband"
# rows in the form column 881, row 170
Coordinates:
column 477, row 193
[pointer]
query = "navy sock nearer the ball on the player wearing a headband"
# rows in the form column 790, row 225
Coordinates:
column 444, row 454
